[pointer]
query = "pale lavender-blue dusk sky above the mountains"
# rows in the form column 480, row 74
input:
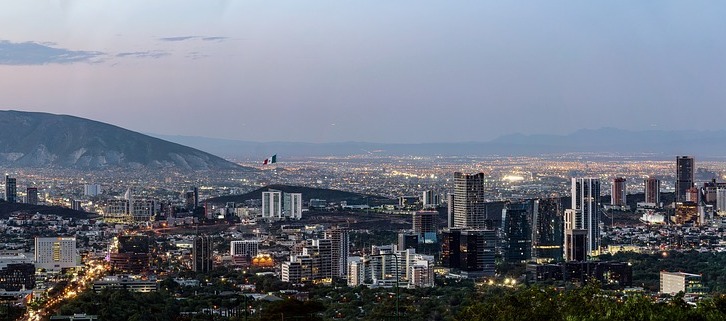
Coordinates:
column 374, row 71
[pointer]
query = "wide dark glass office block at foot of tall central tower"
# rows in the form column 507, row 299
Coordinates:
column 470, row 251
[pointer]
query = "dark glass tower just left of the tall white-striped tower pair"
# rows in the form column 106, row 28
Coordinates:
column 547, row 230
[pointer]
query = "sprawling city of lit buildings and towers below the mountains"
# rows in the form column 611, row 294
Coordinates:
column 285, row 231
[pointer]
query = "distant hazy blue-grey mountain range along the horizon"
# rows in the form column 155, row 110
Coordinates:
column 657, row 143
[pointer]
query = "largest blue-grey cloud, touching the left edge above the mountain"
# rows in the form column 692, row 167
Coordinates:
column 33, row 53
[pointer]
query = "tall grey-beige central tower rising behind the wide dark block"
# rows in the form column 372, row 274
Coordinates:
column 469, row 208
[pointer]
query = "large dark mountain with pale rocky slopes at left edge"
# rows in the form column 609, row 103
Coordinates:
column 31, row 139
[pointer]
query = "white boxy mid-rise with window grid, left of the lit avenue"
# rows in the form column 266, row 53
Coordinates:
column 55, row 253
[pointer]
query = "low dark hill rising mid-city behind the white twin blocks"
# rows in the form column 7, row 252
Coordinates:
column 329, row 195
